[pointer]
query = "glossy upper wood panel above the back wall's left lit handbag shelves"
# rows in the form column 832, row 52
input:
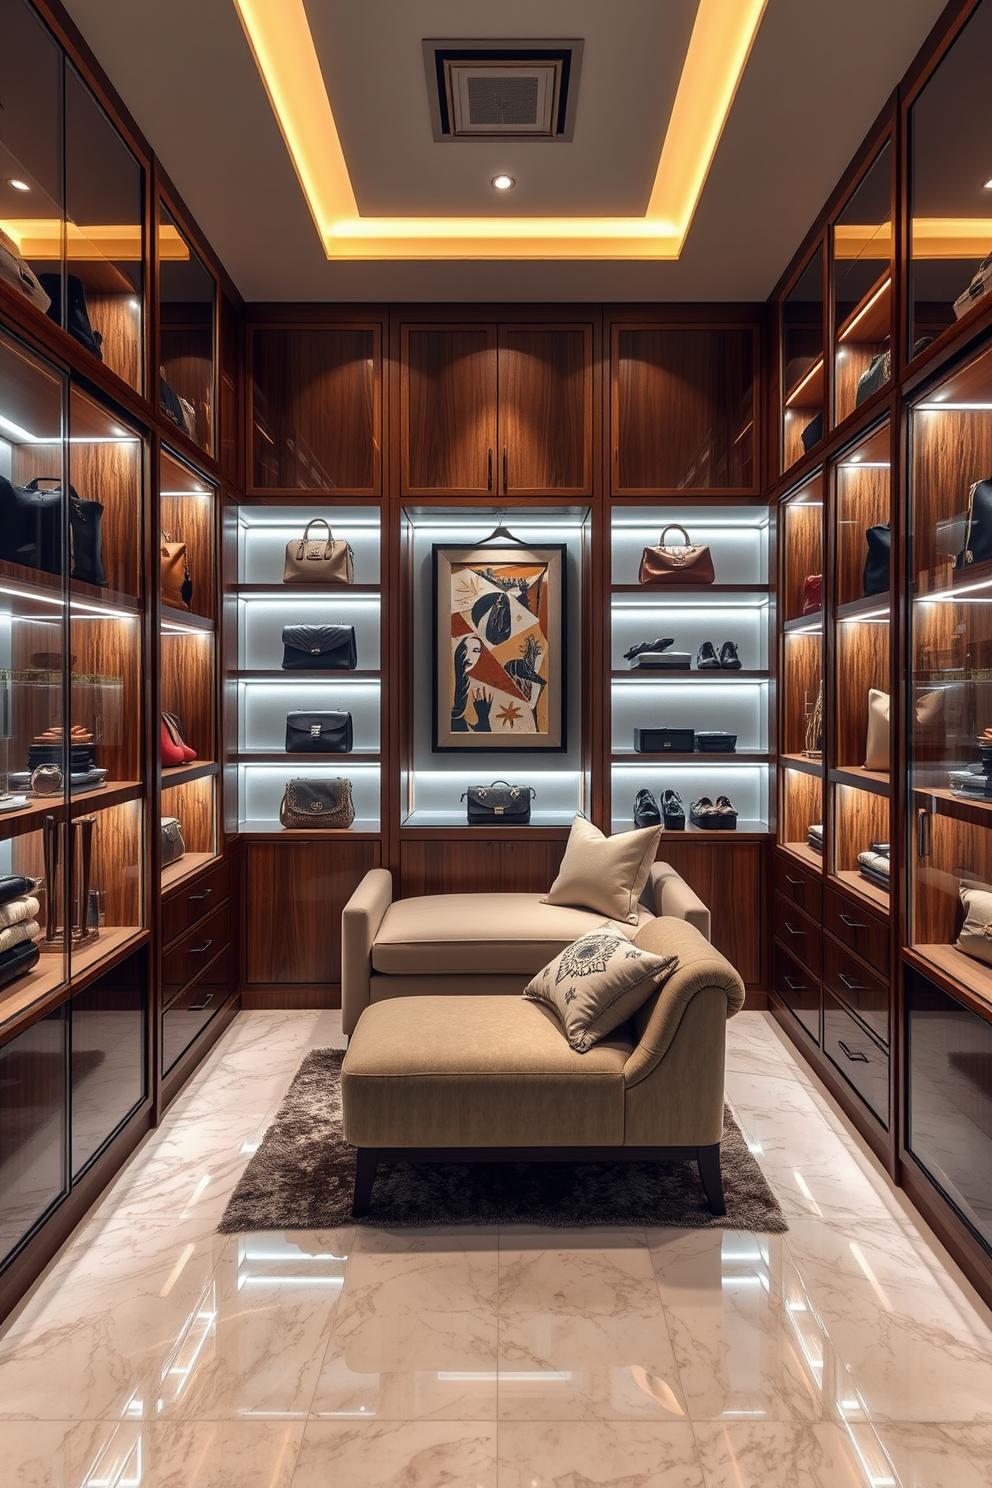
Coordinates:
column 316, row 408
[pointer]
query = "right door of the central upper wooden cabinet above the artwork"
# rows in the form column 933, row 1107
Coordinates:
column 545, row 411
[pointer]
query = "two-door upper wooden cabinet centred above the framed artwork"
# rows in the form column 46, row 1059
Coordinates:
column 496, row 410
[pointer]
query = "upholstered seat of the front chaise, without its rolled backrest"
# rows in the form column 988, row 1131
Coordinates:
column 417, row 1077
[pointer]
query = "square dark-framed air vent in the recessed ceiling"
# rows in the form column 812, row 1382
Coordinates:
column 502, row 90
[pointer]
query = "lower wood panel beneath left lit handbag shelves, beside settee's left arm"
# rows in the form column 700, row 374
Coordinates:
column 295, row 895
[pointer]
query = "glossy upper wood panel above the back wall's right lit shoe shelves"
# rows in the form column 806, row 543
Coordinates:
column 683, row 408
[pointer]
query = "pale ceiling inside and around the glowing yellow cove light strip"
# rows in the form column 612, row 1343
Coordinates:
column 816, row 81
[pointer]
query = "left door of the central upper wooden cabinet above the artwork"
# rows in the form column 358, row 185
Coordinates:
column 448, row 410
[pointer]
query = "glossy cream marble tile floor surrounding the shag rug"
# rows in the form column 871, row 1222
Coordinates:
column 843, row 1355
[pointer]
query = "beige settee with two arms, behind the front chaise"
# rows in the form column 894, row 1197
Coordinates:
column 480, row 944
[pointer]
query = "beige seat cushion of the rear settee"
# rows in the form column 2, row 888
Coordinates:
column 478, row 934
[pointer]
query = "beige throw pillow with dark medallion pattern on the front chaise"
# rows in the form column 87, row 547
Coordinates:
column 599, row 983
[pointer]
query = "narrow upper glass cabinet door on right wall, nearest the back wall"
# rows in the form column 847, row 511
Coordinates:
column 802, row 362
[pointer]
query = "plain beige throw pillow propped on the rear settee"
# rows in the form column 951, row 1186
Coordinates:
column 605, row 874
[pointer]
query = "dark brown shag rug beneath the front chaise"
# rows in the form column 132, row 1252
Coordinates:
column 303, row 1178
